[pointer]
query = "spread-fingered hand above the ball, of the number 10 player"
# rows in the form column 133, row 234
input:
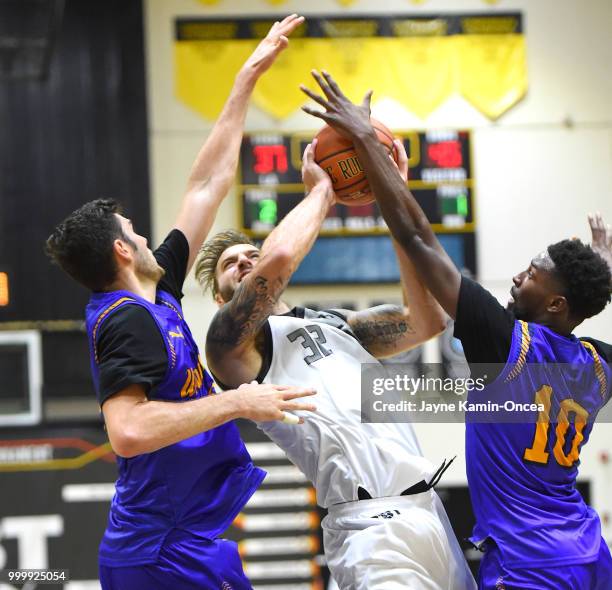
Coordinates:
column 340, row 113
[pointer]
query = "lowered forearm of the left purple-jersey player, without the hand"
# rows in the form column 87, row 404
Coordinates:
column 152, row 425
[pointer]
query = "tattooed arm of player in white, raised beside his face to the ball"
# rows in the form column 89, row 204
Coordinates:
column 231, row 341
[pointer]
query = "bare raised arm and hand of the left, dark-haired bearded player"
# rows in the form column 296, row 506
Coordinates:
column 214, row 169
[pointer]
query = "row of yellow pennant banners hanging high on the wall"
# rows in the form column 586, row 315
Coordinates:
column 418, row 63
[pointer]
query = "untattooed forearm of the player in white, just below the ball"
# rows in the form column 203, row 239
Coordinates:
column 299, row 229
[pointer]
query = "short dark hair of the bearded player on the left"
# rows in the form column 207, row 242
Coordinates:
column 82, row 244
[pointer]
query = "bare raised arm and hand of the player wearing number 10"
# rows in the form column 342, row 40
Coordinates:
column 406, row 220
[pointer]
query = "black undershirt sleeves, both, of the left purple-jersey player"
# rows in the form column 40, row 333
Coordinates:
column 130, row 347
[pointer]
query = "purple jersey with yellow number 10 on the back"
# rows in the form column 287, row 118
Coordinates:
column 522, row 473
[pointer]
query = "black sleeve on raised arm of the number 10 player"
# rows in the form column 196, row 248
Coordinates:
column 482, row 324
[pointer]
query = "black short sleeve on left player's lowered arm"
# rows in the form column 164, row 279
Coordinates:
column 130, row 351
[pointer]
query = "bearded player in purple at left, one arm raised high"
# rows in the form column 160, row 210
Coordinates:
column 184, row 472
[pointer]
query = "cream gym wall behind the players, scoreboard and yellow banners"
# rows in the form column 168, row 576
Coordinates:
column 539, row 169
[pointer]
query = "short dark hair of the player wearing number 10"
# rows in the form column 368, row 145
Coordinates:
column 584, row 275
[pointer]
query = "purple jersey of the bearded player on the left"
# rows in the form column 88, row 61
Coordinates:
column 197, row 485
